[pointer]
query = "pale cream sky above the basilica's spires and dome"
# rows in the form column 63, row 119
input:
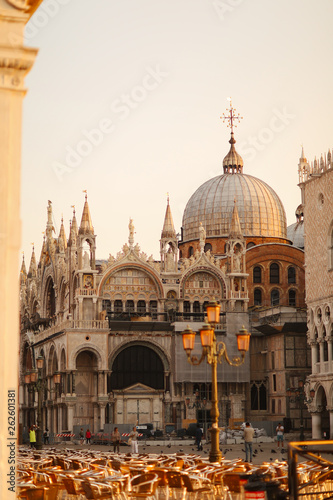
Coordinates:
column 154, row 77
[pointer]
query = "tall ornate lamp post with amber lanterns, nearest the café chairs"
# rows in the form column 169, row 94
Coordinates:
column 214, row 352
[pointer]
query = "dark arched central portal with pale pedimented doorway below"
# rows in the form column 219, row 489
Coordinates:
column 137, row 382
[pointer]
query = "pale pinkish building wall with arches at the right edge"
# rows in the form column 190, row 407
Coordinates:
column 317, row 190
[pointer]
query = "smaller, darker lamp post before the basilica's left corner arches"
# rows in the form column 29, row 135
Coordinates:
column 37, row 384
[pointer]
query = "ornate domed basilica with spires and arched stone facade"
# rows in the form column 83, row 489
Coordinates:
column 113, row 328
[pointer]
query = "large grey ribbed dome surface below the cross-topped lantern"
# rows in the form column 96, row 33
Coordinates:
column 260, row 210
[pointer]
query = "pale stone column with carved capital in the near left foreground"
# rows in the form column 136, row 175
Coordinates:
column 16, row 60
